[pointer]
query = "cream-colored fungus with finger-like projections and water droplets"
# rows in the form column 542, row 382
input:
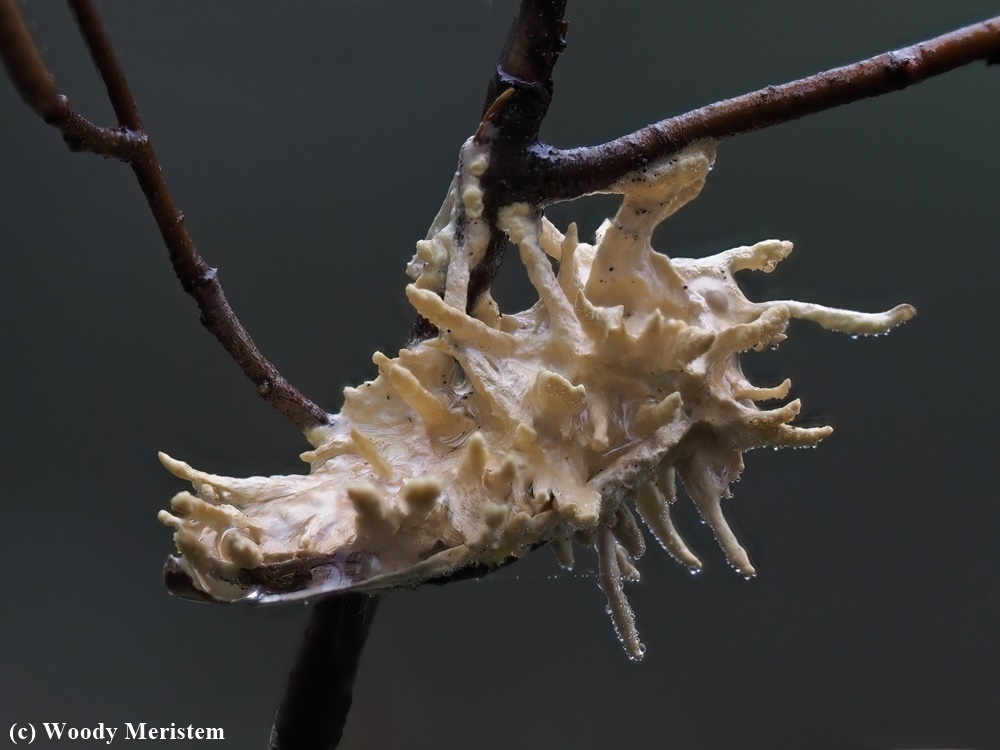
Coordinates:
column 505, row 432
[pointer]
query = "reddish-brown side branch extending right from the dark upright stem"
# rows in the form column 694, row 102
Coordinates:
column 567, row 174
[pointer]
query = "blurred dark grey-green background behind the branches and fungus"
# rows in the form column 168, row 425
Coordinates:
column 310, row 145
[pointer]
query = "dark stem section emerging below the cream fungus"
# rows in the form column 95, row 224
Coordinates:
column 321, row 684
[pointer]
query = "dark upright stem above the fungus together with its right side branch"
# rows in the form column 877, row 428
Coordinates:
column 523, row 169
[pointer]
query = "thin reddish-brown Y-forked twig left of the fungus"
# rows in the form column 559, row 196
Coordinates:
column 129, row 143
